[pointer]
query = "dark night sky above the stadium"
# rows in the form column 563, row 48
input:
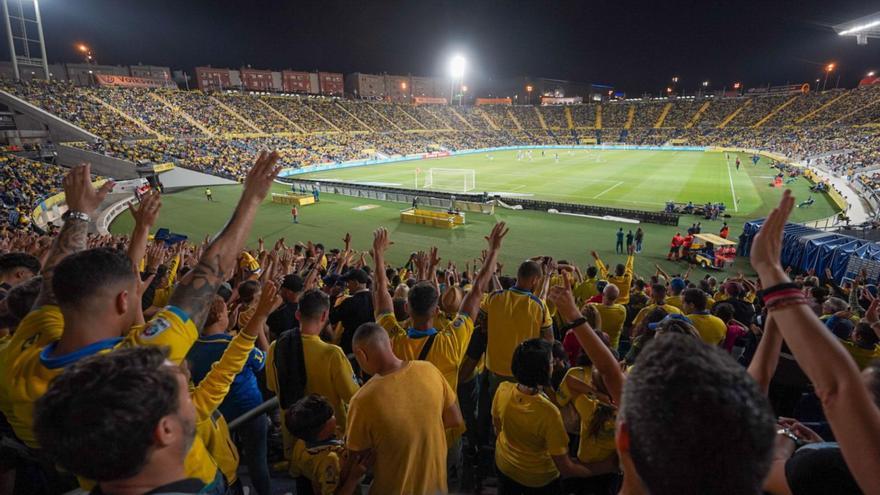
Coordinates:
column 636, row 46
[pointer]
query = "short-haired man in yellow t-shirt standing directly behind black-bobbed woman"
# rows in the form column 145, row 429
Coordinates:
column 513, row 316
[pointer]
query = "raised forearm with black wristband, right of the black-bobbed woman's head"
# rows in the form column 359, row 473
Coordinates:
column 598, row 352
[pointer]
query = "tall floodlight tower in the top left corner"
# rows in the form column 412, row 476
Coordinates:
column 23, row 22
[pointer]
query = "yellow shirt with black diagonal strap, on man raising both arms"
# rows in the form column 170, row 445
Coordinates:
column 446, row 352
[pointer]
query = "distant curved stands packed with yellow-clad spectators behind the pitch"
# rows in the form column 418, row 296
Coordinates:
column 208, row 131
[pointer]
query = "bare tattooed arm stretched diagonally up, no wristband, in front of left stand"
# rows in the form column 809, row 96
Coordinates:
column 196, row 290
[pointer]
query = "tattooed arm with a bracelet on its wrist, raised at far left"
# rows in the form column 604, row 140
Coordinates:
column 81, row 197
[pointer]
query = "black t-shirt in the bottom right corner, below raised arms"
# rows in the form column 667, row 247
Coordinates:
column 819, row 471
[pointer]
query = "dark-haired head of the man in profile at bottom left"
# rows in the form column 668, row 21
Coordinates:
column 133, row 436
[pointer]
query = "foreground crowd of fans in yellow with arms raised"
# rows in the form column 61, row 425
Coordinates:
column 133, row 367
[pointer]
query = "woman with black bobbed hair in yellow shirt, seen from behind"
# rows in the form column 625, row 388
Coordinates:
column 531, row 451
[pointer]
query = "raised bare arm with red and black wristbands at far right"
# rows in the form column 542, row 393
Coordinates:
column 847, row 403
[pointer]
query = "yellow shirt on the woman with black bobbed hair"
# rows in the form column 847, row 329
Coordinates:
column 530, row 431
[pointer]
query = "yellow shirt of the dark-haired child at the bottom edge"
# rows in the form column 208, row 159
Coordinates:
column 320, row 463
